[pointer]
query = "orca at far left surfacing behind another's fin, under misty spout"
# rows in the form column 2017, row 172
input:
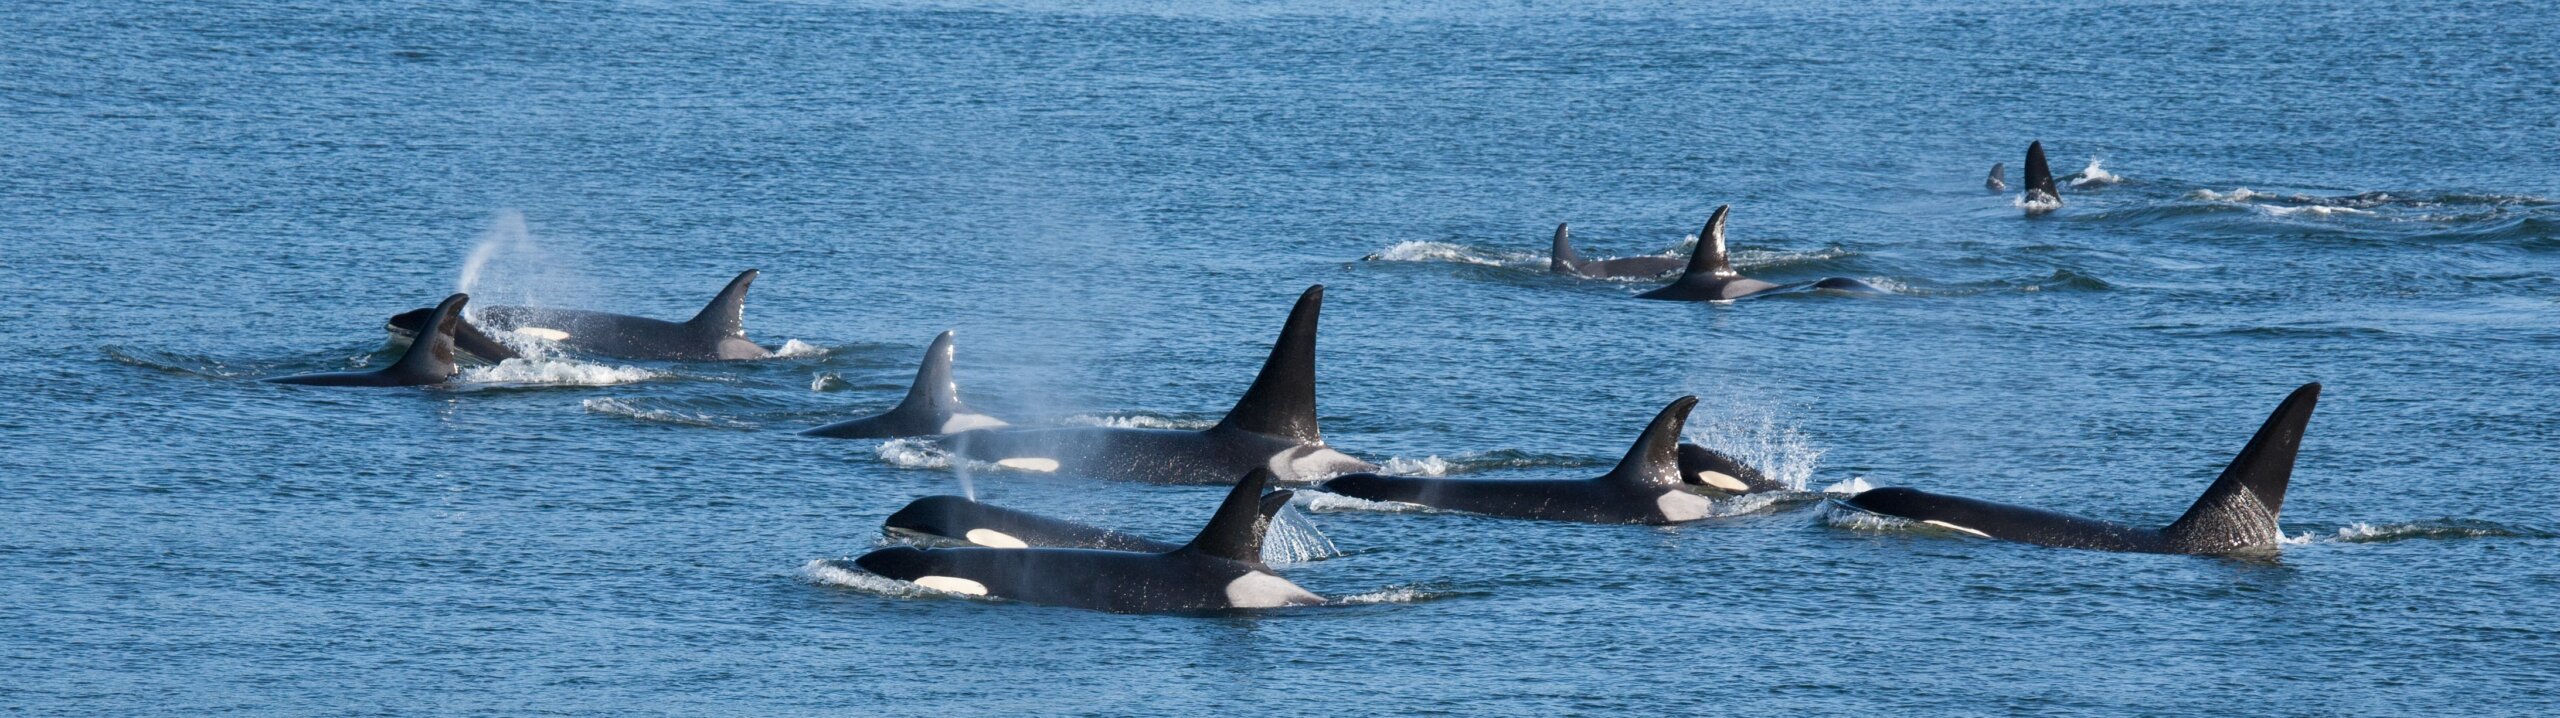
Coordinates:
column 718, row 332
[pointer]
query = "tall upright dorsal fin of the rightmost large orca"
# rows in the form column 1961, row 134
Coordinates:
column 2239, row 512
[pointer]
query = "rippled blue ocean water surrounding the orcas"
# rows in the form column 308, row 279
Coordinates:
column 1115, row 206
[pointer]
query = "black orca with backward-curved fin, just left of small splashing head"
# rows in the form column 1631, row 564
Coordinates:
column 1645, row 488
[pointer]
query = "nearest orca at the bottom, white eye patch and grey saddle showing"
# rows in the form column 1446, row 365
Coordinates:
column 1217, row 571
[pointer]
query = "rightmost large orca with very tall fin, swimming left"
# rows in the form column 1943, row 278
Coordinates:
column 2236, row 514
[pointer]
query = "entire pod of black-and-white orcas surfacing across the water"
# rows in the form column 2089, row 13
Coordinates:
column 1271, row 437
